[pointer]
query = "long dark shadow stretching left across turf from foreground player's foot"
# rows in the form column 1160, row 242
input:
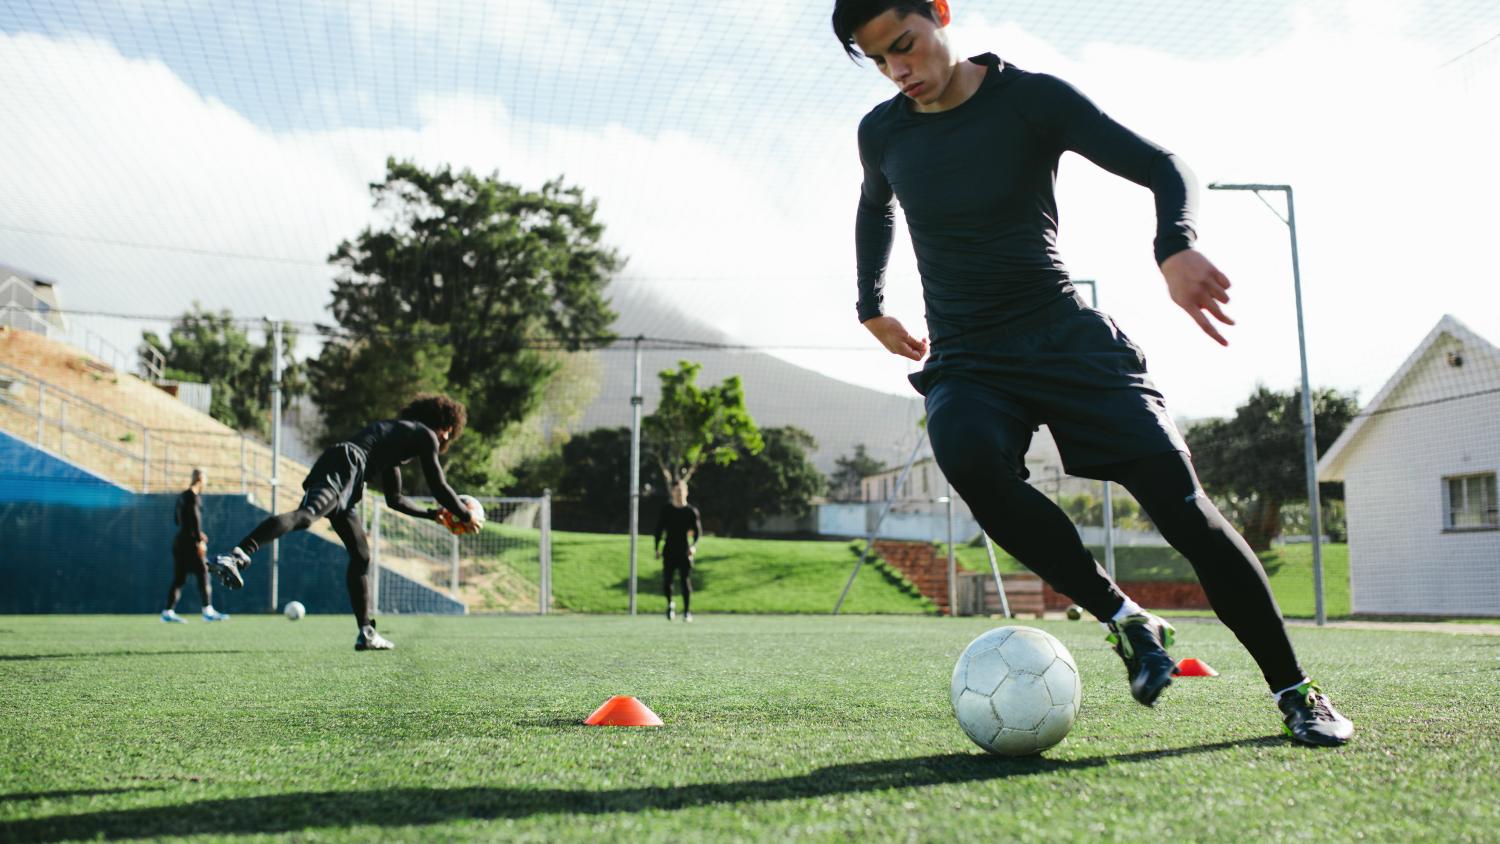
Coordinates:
column 280, row 815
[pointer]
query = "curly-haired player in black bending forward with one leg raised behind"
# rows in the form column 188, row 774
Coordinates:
column 337, row 483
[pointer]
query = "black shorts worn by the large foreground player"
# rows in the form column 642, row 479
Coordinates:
column 1069, row 368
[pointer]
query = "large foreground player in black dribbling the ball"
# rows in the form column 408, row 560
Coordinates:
column 971, row 148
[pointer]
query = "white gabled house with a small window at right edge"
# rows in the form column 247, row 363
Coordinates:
column 1420, row 480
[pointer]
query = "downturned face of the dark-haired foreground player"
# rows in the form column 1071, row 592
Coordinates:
column 913, row 52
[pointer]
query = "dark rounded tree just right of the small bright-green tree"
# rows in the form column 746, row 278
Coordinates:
column 779, row 480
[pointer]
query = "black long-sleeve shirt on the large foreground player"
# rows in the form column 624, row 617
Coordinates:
column 976, row 184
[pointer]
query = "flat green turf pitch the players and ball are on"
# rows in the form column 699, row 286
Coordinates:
column 776, row 728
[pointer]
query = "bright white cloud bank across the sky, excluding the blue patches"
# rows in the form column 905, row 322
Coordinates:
column 743, row 217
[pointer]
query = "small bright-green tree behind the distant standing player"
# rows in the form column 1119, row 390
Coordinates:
column 694, row 426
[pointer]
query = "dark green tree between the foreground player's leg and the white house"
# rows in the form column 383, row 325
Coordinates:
column 1253, row 462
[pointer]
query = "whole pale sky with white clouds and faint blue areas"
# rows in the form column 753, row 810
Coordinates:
column 158, row 152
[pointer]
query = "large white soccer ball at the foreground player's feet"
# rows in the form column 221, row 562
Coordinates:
column 1016, row 690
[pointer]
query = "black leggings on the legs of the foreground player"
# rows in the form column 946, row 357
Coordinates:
column 1039, row 534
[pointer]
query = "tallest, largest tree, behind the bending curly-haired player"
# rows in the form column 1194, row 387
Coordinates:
column 496, row 275
